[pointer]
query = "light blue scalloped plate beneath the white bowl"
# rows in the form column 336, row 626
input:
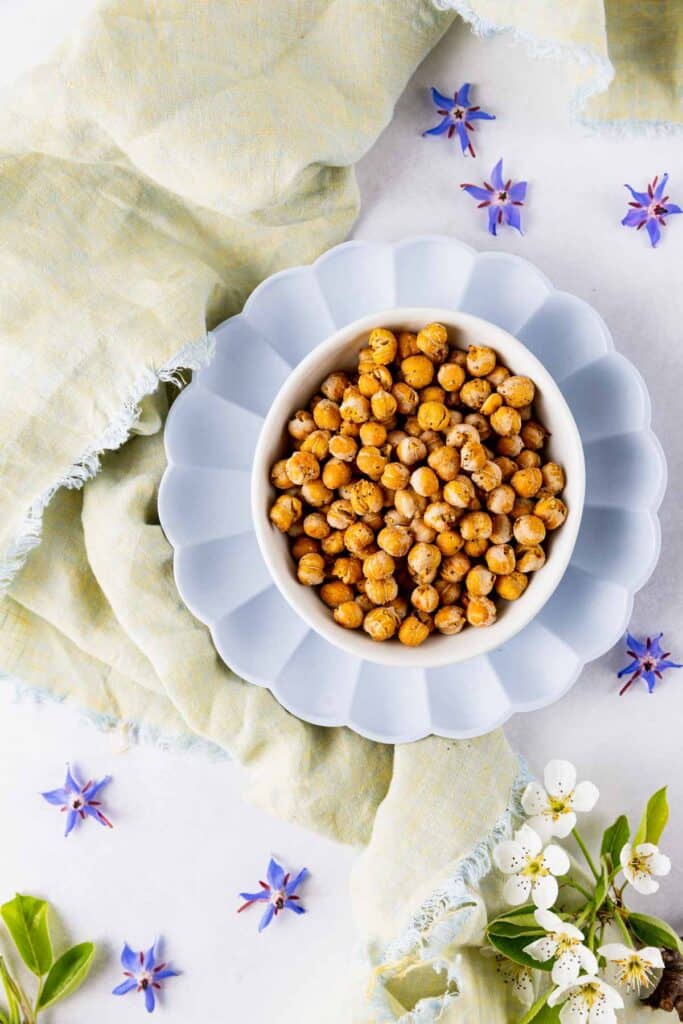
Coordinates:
column 204, row 501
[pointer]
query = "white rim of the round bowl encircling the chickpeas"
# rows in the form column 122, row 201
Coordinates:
column 444, row 651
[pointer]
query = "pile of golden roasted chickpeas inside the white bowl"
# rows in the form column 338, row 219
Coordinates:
column 416, row 492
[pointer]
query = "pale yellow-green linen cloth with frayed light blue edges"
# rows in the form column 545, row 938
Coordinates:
column 168, row 159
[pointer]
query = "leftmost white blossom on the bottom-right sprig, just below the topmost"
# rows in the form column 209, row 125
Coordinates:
column 532, row 869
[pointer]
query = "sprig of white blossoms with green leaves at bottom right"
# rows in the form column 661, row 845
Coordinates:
column 565, row 937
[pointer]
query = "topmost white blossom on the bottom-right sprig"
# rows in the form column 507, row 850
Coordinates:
column 553, row 809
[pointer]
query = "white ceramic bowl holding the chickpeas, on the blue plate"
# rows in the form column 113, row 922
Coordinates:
column 565, row 446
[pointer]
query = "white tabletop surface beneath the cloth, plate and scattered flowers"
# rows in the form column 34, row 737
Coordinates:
column 148, row 876
